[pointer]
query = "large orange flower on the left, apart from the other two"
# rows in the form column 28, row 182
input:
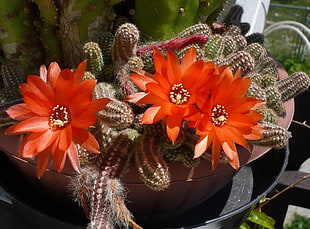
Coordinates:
column 57, row 109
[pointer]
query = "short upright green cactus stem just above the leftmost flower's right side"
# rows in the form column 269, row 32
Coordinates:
column 93, row 54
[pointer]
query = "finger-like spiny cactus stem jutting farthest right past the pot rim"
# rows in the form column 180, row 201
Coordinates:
column 293, row 85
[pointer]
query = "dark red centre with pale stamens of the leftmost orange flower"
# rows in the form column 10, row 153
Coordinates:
column 59, row 118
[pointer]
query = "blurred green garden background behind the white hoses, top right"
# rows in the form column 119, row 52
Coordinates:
column 286, row 45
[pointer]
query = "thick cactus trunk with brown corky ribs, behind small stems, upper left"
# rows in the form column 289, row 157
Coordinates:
column 79, row 22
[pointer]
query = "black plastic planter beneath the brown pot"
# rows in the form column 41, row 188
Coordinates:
column 228, row 208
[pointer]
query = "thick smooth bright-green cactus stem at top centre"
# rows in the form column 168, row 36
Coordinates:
column 162, row 19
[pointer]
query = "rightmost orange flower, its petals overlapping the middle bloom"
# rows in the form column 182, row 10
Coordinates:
column 228, row 118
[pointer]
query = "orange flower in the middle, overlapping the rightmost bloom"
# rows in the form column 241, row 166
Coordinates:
column 174, row 89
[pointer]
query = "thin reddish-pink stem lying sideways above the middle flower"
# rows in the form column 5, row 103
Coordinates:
column 174, row 44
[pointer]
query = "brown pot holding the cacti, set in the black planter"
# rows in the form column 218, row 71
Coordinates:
column 188, row 188
